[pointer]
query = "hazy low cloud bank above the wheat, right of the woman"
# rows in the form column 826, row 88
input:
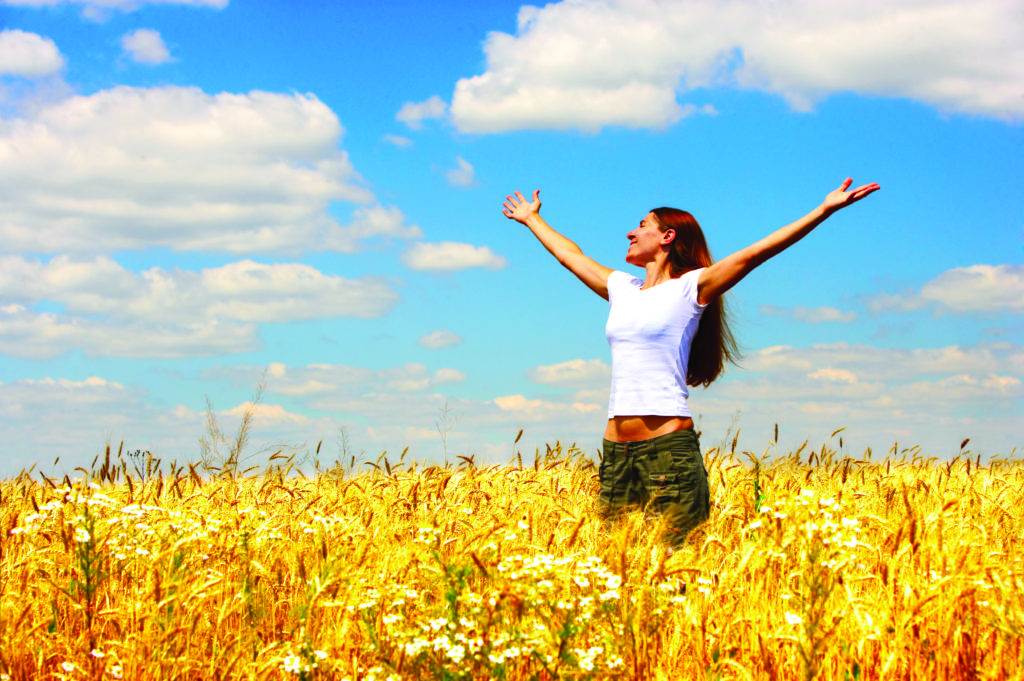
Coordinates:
column 928, row 397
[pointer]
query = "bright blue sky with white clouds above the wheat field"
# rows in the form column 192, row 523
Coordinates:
column 198, row 193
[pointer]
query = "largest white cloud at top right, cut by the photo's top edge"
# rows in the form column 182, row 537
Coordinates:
column 589, row 64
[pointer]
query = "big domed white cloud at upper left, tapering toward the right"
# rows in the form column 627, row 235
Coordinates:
column 131, row 168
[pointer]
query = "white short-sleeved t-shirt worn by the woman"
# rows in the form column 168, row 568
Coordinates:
column 651, row 332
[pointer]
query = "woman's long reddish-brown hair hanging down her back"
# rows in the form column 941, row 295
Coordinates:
column 714, row 344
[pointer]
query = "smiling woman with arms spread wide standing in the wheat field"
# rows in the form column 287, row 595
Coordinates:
column 666, row 332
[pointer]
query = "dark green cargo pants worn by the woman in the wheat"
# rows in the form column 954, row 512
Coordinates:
column 664, row 474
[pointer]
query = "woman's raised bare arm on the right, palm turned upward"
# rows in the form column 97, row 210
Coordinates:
column 729, row 272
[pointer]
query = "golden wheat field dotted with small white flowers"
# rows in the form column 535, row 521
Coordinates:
column 814, row 565
